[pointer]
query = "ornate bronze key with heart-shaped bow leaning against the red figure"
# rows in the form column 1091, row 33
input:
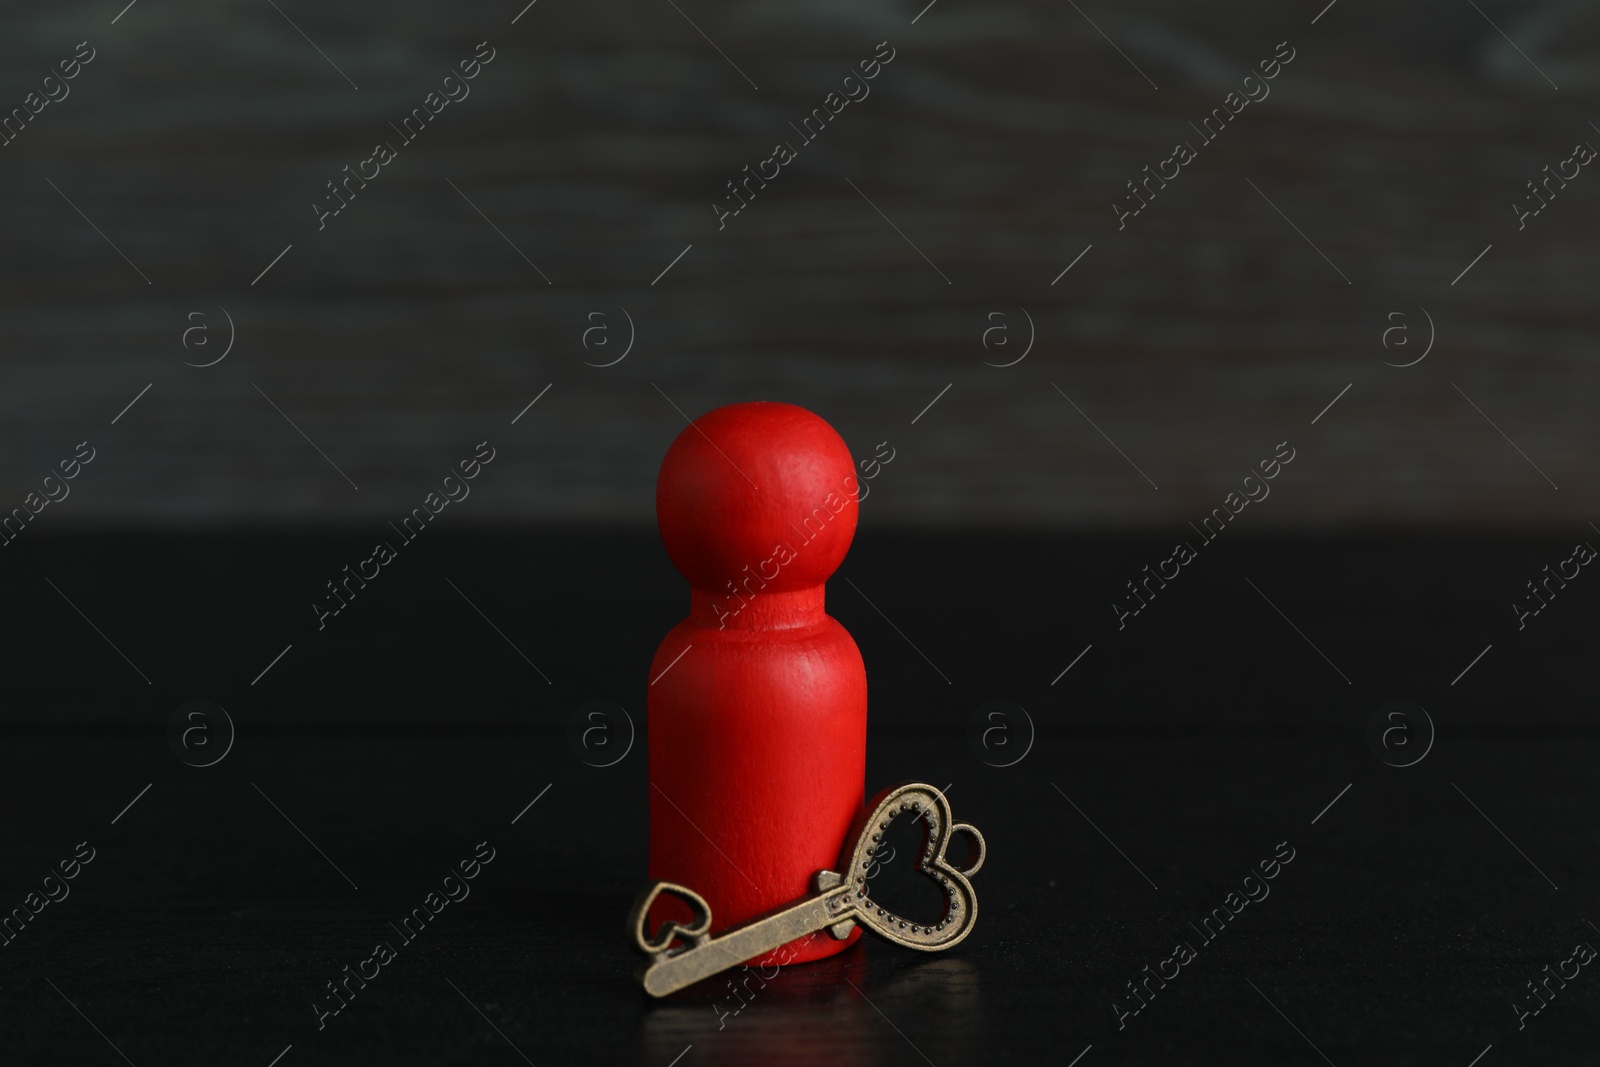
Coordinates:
column 681, row 956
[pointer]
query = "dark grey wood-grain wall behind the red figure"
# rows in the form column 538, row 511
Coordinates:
column 996, row 142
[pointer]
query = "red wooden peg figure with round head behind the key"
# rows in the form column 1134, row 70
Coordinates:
column 759, row 700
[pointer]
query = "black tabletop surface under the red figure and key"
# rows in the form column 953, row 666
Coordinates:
column 1167, row 765
